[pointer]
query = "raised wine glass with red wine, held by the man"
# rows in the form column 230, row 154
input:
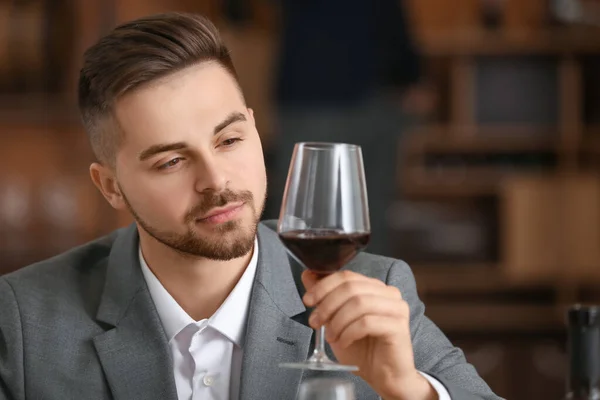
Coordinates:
column 324, row 219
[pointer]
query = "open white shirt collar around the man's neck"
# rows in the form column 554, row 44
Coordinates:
column 229, row 319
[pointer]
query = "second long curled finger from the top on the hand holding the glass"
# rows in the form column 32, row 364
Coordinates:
column 360, row 307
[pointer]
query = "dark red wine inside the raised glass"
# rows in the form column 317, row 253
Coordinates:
column 324, row 251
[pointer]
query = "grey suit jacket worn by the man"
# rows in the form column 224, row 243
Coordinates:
column 82, row 325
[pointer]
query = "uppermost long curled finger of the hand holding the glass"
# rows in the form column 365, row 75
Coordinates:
column 347, row 292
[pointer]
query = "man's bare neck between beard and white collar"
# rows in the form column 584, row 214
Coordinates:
column 199, row 285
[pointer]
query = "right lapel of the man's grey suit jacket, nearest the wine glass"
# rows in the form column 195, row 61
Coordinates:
column 273, row 333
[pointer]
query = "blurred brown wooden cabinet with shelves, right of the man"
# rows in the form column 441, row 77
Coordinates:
column 516, row 138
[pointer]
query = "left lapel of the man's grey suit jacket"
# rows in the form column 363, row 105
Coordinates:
column 134, row 352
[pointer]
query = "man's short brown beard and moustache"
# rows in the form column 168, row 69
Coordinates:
column 227, row 241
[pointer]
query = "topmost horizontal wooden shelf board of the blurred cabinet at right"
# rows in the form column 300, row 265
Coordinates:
column 479, row 42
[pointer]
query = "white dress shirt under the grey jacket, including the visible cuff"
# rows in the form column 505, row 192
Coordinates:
column 207, row 354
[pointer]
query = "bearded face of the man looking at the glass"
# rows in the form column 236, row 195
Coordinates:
column 191, row 167
